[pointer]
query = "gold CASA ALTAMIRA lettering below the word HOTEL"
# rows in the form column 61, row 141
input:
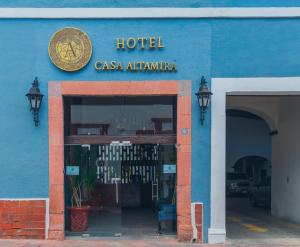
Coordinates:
column 136, row 66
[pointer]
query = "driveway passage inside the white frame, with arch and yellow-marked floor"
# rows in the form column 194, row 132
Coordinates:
column 260, row 164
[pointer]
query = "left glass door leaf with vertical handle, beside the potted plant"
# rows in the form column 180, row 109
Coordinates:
column 106, row 192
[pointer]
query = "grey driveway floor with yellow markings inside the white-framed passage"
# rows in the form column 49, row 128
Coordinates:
column 246, row 225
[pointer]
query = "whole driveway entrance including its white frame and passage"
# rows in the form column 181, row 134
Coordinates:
column 274, row 104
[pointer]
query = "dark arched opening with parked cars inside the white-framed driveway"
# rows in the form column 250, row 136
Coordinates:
column 248, row 167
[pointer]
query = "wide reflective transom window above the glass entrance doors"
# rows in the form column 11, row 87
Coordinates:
column 120, row 115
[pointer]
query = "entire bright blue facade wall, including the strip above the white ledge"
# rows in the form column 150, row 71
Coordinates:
column 211, row 47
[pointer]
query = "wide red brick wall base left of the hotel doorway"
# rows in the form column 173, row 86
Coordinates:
column 22, row 219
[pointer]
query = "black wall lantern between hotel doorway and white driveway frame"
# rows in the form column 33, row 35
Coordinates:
column 203, row 96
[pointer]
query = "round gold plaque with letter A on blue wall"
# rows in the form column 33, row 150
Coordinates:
column 70, row 49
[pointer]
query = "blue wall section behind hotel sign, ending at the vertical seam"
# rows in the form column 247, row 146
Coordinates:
column 24, row 148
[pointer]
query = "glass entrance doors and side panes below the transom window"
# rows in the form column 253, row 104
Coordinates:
column 129, row 189
